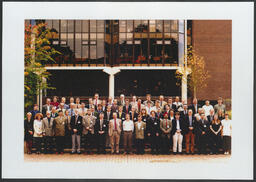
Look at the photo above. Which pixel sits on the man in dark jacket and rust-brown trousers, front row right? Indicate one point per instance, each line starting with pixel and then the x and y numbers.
pixel 190 128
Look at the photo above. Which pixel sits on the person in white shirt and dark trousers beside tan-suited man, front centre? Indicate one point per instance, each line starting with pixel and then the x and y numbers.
pixel 128 128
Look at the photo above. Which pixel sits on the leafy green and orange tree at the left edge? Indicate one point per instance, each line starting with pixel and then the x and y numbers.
pixel 37 52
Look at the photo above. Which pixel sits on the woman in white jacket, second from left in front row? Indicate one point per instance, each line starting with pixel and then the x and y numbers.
pixel 38 132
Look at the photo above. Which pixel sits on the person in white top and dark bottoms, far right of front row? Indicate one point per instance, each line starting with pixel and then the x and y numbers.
pixel 226 133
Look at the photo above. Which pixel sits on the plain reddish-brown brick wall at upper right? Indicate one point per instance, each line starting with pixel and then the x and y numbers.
pixel 212 39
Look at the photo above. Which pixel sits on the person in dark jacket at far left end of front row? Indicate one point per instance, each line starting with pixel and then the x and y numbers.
pixel 28 128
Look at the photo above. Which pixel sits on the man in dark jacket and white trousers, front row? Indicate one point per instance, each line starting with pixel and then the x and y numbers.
pixel 177 133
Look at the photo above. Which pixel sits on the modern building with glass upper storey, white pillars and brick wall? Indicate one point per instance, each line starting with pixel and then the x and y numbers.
pixel 136 57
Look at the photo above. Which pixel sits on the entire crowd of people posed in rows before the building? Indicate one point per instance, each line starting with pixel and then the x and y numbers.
pixel 107 123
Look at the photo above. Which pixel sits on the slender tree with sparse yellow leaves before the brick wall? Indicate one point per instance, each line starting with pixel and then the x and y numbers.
pixel 195 69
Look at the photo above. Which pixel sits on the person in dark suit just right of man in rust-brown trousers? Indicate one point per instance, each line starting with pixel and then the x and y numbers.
pixel 203 131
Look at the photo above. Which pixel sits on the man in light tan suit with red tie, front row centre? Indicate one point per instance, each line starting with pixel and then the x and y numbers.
pixel 114 133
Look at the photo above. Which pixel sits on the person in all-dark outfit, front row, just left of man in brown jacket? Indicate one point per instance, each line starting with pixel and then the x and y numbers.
pixel 154 133
